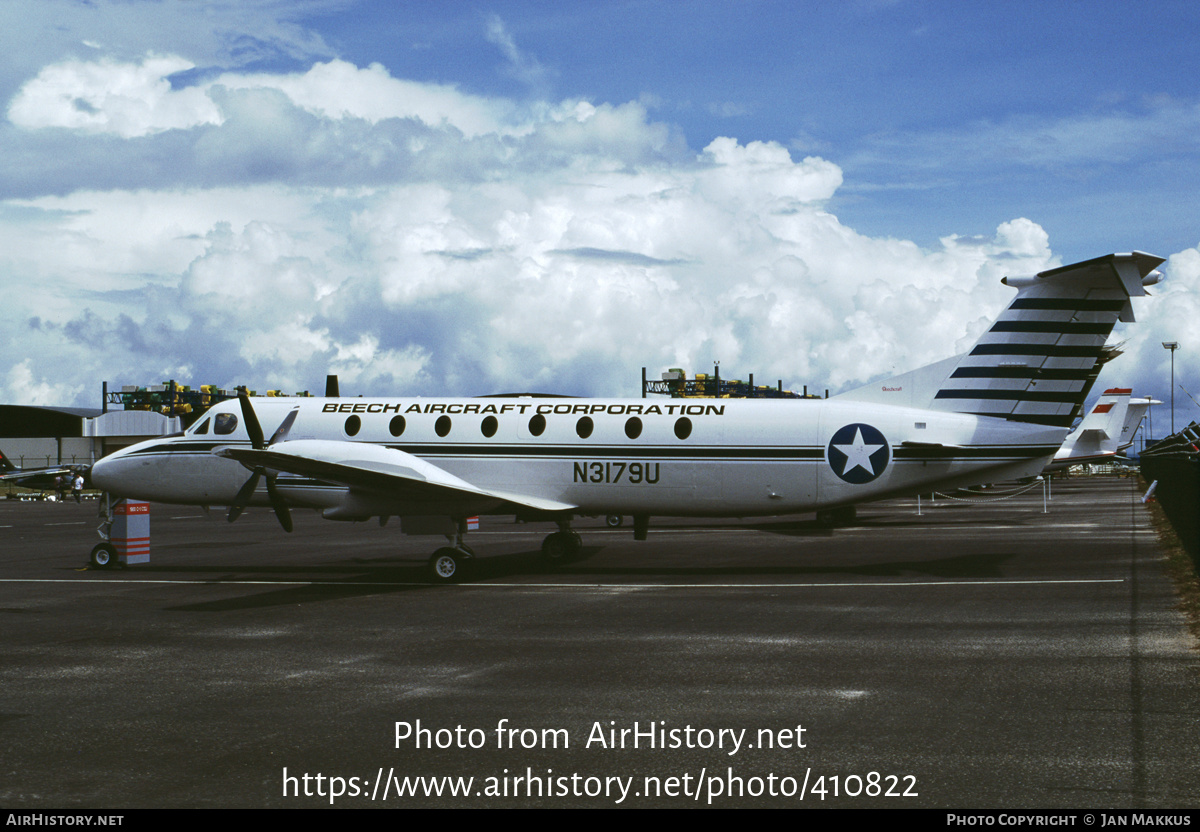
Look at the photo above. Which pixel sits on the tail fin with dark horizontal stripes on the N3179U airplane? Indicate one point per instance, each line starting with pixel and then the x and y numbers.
pixel 1039 361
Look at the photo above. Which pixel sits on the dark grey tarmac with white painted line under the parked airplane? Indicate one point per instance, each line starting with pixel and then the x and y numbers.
pixel 979 655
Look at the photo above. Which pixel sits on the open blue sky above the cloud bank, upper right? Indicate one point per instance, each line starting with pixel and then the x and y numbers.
pixel 946 117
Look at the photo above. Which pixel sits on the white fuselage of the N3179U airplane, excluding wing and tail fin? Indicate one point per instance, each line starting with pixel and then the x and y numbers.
pixel 670 457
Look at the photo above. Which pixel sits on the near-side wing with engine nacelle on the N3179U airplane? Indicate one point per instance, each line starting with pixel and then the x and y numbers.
pixel 380 471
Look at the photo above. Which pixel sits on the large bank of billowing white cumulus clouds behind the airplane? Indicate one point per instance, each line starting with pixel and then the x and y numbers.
pixel 421 241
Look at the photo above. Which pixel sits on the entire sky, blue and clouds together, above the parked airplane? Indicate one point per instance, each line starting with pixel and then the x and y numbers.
pixel 469 197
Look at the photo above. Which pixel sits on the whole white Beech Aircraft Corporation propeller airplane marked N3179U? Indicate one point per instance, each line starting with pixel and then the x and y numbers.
pixel 998 412
